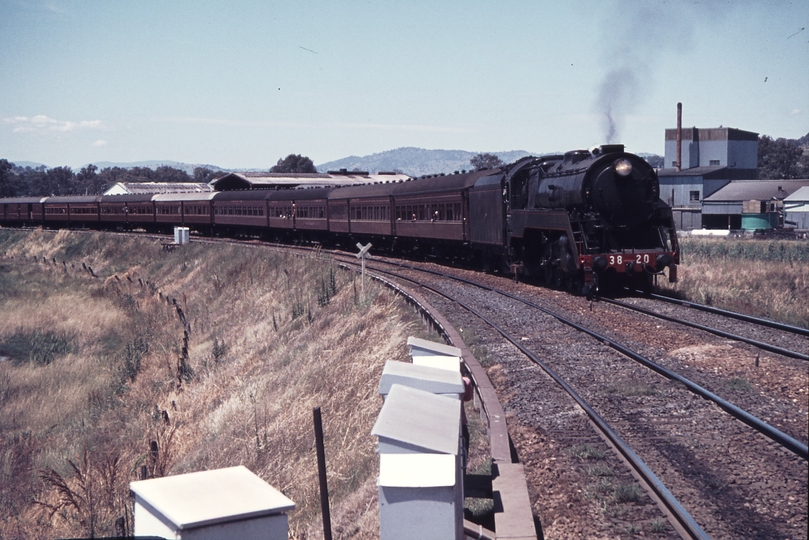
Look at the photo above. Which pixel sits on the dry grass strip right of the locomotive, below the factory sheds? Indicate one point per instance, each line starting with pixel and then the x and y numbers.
pixel 765 278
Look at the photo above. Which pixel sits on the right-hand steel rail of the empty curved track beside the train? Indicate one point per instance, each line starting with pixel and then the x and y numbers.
pixel 776 435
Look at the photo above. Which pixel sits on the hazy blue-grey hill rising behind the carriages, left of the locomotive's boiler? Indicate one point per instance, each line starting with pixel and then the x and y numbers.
pixel 416 161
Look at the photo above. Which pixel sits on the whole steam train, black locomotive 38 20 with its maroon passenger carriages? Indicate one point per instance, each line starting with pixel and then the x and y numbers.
pixel 583 220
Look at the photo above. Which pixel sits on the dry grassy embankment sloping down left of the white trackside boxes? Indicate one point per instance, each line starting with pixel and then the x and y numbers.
pixel 95 371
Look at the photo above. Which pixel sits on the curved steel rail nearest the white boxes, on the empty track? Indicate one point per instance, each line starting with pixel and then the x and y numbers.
pixel 685 521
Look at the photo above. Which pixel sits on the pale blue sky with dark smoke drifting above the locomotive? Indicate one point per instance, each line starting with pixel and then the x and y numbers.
pixel 241 84
